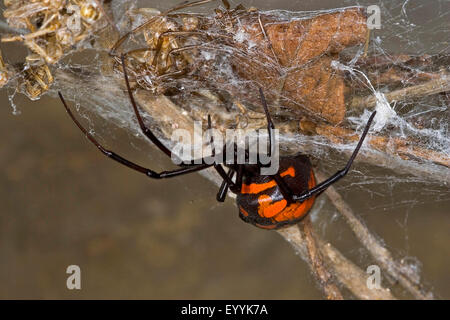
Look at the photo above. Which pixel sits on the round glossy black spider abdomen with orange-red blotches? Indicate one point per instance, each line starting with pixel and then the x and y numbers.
pixel 261 203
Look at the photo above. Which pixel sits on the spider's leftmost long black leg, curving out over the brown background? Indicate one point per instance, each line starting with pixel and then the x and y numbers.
pixel 112 155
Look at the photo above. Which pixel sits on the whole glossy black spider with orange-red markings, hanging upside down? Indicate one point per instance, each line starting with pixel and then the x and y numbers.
pixel 266 201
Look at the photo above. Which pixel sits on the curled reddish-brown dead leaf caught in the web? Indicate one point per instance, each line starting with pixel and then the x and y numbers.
pixel 295 58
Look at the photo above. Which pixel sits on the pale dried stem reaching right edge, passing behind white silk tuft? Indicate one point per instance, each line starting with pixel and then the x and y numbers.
pixel 425 89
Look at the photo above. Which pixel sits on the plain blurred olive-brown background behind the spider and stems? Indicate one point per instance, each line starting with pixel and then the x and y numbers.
pixel 63 203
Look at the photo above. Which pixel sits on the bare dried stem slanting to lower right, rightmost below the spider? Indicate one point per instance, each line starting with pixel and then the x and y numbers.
pixel 374 246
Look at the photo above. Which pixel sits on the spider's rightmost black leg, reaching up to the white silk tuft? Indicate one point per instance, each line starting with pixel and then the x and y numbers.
pixel 338 175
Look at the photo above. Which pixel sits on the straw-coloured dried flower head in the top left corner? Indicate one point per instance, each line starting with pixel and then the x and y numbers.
pixel 55 28
